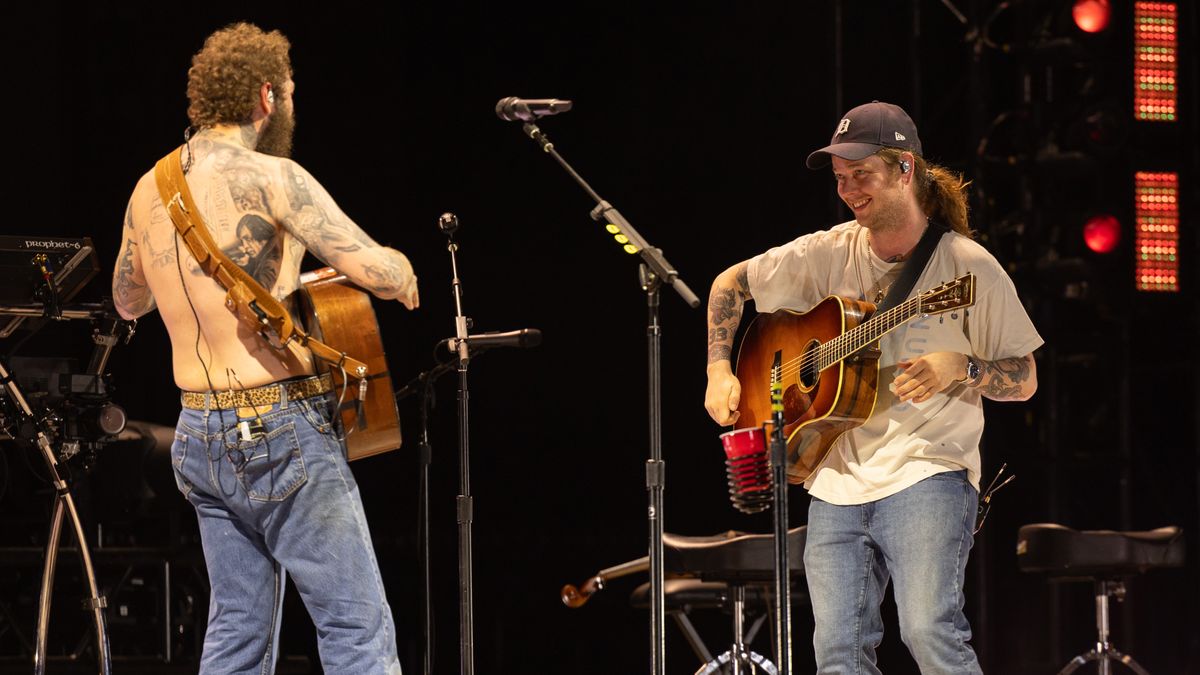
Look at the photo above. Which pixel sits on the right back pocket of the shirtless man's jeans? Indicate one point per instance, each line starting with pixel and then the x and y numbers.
pixel 274 465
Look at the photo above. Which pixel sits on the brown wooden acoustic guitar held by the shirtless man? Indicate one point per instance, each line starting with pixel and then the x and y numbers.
pixel 339 313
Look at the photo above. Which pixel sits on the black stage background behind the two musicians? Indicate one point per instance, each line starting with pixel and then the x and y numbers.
pixel 695 123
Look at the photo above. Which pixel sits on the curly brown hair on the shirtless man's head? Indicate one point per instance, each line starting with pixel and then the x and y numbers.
pixel 229 71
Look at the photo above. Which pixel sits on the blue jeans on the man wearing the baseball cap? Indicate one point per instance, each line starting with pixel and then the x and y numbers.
pixel 919 537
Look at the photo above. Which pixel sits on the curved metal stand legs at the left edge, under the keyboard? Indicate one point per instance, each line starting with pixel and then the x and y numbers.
pixel 63 504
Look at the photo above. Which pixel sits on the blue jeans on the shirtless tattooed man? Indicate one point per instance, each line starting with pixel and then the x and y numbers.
pixel 275 497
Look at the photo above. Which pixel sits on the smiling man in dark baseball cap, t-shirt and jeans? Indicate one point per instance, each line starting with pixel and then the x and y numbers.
pixel 897 498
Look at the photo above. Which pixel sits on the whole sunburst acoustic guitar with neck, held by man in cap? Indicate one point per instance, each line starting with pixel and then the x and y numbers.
pixel 830 368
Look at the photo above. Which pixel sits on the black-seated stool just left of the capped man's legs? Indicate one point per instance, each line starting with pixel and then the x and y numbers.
pixel 725 571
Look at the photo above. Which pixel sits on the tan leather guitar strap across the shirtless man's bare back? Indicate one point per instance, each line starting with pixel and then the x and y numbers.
pixel 254 304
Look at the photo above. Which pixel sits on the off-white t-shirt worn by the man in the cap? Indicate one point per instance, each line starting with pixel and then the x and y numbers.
pixel 901 444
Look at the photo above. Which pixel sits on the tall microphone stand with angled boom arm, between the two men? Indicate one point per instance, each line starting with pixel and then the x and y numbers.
pixel 653 273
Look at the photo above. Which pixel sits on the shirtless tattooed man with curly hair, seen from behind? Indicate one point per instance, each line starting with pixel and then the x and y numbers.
pixel 255 450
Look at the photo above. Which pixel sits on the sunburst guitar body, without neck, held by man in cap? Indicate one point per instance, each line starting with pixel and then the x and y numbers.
pixel 819 407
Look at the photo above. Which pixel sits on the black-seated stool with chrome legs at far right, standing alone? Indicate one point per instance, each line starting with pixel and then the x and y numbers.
pixel 1106 558
